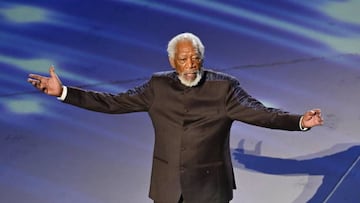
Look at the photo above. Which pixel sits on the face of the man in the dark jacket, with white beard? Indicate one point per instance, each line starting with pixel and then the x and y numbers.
pixel 187 61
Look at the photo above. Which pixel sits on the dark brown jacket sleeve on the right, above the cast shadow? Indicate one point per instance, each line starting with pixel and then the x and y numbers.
pixel 242 107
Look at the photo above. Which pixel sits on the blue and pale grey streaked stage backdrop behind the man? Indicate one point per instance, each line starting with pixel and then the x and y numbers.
pixel 294 55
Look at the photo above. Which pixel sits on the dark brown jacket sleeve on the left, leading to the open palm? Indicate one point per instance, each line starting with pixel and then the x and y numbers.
pixel 134 100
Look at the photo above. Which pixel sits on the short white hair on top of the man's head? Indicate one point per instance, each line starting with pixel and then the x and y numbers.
pixel 171 49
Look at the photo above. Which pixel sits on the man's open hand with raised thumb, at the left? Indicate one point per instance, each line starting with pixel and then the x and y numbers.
pixel 49 85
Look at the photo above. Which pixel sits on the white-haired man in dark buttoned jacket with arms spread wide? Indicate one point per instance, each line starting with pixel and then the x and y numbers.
pixel 192 110
